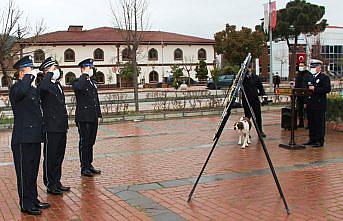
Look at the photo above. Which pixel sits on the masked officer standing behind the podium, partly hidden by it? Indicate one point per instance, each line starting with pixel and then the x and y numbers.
pixel 304 76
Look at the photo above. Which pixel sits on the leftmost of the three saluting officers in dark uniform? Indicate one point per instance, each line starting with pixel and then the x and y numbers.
pixel 27 136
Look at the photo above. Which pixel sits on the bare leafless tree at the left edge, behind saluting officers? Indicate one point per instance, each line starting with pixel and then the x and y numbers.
pixel 14 28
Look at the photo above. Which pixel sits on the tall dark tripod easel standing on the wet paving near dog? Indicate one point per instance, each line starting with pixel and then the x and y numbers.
pixel 229 101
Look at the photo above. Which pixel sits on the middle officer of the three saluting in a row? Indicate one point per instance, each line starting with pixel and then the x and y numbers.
pixel 55 119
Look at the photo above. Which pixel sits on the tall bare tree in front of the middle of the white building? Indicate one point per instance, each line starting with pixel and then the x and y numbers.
pixel 130 16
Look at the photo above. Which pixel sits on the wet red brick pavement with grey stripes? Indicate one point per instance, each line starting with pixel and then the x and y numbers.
pixel 149 167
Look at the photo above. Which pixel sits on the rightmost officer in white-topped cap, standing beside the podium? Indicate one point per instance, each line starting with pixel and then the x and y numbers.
pixel 316 106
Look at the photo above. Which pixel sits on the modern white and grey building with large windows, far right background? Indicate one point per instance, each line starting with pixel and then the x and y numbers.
pixel 327 46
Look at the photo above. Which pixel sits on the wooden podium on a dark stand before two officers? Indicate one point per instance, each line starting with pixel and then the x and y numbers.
pixel 293 93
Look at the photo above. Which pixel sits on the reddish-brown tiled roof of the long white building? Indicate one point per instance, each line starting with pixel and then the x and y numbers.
pixel 108 35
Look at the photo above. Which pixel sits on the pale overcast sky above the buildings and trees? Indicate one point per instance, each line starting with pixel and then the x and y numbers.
pixel 200 18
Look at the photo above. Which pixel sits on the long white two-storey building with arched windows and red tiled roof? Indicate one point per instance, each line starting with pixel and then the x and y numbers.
pixel 157 53
